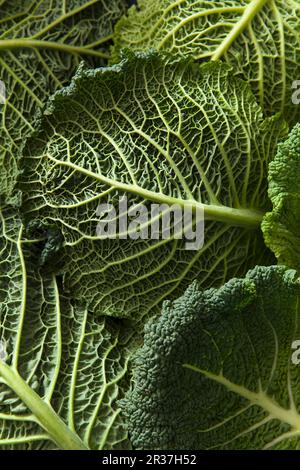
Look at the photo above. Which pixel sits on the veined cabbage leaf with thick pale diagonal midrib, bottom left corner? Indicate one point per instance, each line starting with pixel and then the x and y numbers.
pixel 63 370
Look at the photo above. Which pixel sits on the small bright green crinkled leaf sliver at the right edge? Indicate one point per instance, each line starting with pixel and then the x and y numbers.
pixel 281 227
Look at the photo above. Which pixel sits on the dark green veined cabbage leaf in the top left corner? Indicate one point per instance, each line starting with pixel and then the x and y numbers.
pixel 41 45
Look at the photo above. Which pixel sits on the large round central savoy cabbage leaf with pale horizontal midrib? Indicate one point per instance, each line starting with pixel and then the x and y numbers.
pixel 153 132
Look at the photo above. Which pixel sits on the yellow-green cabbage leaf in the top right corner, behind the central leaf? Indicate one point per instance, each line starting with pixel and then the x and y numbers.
pixel 260 38
